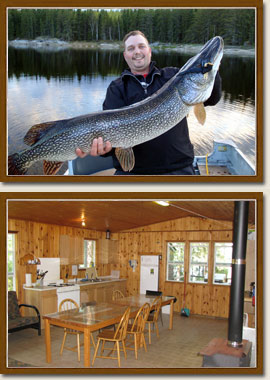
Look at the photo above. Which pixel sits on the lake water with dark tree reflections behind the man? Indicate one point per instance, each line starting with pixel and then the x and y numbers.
pixel 53 85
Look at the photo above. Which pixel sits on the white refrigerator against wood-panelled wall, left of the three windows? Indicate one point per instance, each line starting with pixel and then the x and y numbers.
pixel 149 273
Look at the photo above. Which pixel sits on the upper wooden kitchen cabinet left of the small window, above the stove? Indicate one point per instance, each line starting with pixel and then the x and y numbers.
pixel 71 250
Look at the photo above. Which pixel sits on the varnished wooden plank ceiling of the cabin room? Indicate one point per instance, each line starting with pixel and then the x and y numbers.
pixel 119 215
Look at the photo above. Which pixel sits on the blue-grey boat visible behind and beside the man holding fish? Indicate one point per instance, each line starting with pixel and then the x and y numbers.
pixel 225 159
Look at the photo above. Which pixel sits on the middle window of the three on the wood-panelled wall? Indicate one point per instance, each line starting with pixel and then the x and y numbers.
pixel 198 268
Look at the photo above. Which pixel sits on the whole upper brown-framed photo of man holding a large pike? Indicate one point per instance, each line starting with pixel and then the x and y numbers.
pixel 65 82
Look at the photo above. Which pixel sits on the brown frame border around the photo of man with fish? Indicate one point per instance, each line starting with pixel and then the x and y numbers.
pixel 258 4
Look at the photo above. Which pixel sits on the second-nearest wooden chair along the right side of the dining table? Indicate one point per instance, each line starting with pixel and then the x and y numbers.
pixel 135 331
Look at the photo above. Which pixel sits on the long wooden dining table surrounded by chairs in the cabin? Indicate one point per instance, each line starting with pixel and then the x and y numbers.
pixel 92 317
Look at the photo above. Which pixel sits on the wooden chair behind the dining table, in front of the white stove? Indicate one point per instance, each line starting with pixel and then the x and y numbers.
pixel 65 305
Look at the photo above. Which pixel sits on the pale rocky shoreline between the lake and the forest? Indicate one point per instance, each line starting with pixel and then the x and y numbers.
pixel 54 44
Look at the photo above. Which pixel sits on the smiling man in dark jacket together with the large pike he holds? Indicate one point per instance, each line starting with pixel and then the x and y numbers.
pixel 143 123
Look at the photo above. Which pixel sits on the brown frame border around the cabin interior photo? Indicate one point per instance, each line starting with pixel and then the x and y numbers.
pixel 252 196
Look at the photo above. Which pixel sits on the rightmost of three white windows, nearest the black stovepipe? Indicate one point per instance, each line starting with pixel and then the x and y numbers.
pixel 223 263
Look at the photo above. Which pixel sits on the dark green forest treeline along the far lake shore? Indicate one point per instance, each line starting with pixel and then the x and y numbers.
pixel 236 26
